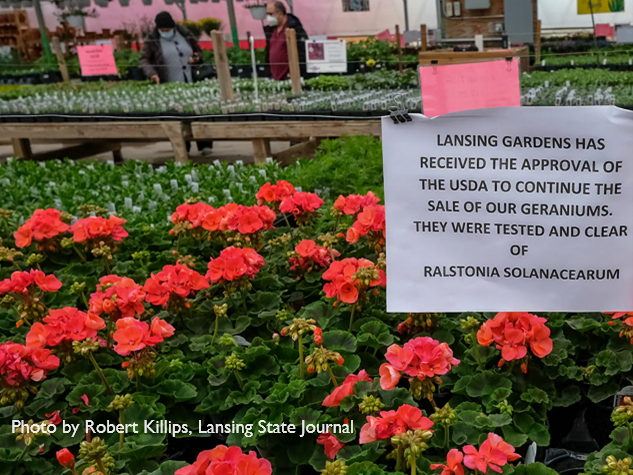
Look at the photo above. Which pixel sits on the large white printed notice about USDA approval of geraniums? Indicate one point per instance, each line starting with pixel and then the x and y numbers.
pixel 510 209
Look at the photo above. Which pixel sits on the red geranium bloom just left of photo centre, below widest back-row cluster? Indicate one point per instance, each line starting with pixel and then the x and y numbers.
pixel 234 263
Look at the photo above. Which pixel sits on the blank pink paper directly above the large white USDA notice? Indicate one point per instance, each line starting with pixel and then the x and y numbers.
pixel 457 87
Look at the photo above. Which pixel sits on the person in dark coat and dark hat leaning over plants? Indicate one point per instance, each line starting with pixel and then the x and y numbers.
pixel 167 55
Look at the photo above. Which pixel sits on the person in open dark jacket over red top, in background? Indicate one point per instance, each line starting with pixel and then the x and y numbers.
pixel 278 20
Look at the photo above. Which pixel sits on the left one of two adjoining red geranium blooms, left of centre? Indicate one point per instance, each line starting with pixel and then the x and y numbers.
pixel 118 297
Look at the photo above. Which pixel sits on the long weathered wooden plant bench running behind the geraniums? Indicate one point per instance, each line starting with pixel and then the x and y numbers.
pixel 99 137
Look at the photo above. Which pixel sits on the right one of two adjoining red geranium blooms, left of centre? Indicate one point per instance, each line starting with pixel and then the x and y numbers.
pixel 173 282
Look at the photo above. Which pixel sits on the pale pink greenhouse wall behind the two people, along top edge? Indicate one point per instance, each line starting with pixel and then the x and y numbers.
pixel 319 17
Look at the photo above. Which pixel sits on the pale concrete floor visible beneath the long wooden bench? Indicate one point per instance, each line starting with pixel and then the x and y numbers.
pixel 160 152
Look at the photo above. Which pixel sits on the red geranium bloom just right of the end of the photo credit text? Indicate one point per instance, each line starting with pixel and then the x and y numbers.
pixel 392 423
